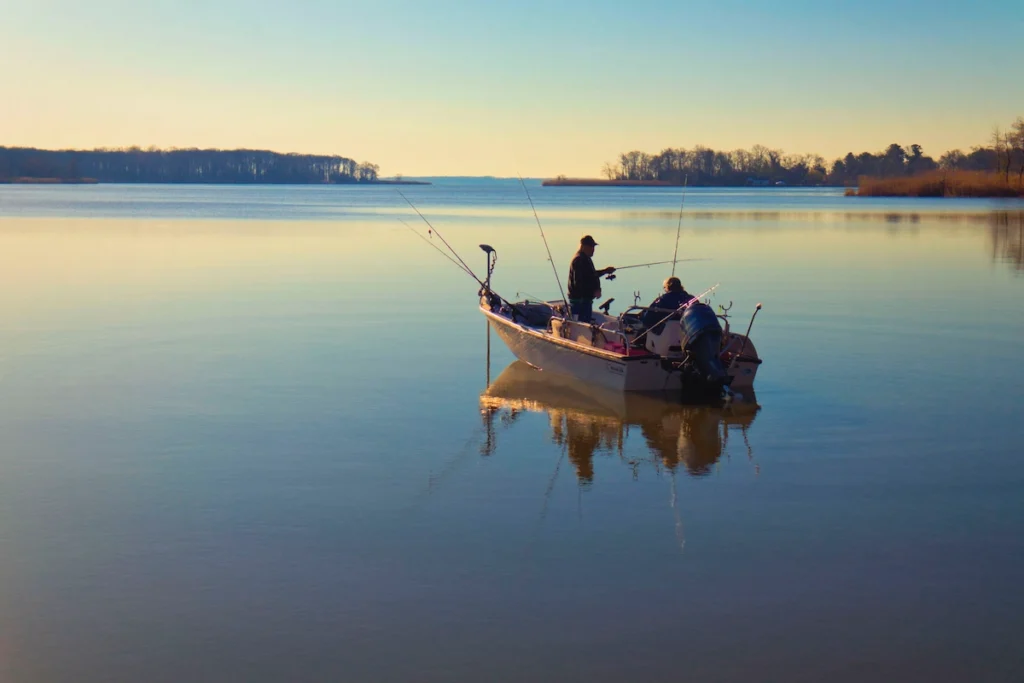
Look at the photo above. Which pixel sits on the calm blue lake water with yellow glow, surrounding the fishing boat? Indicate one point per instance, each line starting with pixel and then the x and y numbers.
pixel 246 435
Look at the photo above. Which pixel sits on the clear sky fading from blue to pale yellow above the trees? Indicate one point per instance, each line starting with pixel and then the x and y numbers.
pixel 535 88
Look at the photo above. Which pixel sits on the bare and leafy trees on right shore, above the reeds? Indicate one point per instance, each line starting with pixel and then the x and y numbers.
pixel 764 166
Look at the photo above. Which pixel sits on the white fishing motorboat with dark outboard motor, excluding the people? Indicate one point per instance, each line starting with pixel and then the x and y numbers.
pixel 693 350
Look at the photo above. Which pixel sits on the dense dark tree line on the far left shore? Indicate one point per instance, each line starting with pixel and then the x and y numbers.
pixel 153 165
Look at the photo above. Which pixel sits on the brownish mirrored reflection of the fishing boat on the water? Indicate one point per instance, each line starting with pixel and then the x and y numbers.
pixel 588 420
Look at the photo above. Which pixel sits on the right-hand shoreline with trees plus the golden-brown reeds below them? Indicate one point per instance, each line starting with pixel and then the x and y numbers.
pixel 761 166
